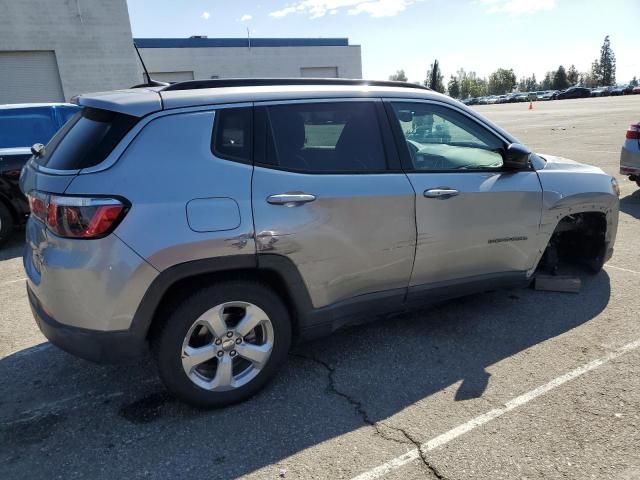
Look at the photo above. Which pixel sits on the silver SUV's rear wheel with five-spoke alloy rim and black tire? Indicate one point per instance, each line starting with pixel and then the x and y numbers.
pixel 226 376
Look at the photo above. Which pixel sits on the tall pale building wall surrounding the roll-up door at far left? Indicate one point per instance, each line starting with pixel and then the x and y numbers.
pixel 91 39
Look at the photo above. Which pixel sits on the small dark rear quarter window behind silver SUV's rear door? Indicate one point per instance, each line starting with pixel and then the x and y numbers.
pixel 232 136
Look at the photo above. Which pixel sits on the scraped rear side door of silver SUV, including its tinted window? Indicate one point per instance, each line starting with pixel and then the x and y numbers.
pixel 329 194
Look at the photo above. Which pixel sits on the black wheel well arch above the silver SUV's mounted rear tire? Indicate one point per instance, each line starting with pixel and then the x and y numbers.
pixel 181 288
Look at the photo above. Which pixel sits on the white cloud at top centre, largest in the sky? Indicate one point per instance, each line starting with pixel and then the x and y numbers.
pixel 320 8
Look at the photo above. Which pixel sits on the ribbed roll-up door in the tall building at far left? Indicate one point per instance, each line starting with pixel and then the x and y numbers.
pixel 29 76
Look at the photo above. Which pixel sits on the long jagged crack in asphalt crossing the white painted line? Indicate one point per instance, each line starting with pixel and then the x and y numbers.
pixel 360 410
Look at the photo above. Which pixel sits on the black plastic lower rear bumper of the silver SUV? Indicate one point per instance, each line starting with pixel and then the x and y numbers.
pixel 93 345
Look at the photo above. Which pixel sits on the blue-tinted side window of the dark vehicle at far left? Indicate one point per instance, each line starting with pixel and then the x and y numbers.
pixel 22 127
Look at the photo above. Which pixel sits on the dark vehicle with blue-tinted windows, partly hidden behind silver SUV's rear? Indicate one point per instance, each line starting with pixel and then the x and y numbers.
pixel 21 126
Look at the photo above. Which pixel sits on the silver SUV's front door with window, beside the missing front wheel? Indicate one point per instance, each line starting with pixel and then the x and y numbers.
pixel 474 218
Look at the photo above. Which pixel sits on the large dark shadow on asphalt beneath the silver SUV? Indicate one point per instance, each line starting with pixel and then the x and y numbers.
pixel 59 414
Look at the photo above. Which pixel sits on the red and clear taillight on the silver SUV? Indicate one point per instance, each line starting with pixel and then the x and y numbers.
pixel 77 217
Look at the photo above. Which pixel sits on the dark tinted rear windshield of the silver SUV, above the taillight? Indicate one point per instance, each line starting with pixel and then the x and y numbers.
pixel 86 139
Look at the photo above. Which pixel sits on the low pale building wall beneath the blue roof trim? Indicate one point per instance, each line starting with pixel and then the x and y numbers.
pixel 236 62
